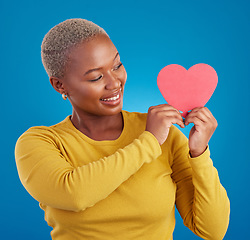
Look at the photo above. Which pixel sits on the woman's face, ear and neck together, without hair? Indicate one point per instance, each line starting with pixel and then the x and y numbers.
pixel 94 82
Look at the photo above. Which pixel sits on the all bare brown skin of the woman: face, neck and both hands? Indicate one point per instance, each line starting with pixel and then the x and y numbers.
pixel 100 120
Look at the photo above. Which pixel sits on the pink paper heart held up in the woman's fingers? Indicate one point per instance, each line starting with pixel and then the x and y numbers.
pixel 187 89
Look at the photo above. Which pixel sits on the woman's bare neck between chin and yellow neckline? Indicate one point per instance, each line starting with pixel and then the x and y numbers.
pixel 98 128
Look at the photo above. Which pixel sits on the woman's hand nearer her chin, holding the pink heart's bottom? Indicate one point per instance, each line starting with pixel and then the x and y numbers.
pixel 159 120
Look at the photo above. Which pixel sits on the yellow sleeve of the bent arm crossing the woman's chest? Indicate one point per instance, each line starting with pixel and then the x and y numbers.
pixel 52 181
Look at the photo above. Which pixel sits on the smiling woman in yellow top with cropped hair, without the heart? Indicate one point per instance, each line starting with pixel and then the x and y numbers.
pixel 105 173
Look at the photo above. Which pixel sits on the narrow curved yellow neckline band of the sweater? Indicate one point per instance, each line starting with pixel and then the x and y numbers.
pixel 101 142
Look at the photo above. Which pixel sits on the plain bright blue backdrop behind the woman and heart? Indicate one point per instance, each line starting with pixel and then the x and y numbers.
pixel 148 36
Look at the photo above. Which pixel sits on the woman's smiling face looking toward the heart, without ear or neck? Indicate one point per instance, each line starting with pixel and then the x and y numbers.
pixel 95 77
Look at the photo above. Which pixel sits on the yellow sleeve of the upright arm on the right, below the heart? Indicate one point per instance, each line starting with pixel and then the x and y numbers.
pixel 200 198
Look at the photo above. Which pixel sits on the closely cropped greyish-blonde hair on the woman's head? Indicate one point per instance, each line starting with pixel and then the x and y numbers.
pixel 61 39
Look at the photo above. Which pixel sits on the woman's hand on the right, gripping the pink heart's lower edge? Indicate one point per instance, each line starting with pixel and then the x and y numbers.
pixel 203 129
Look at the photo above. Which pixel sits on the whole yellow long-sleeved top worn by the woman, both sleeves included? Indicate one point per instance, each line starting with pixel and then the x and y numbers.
pixel 121 189
